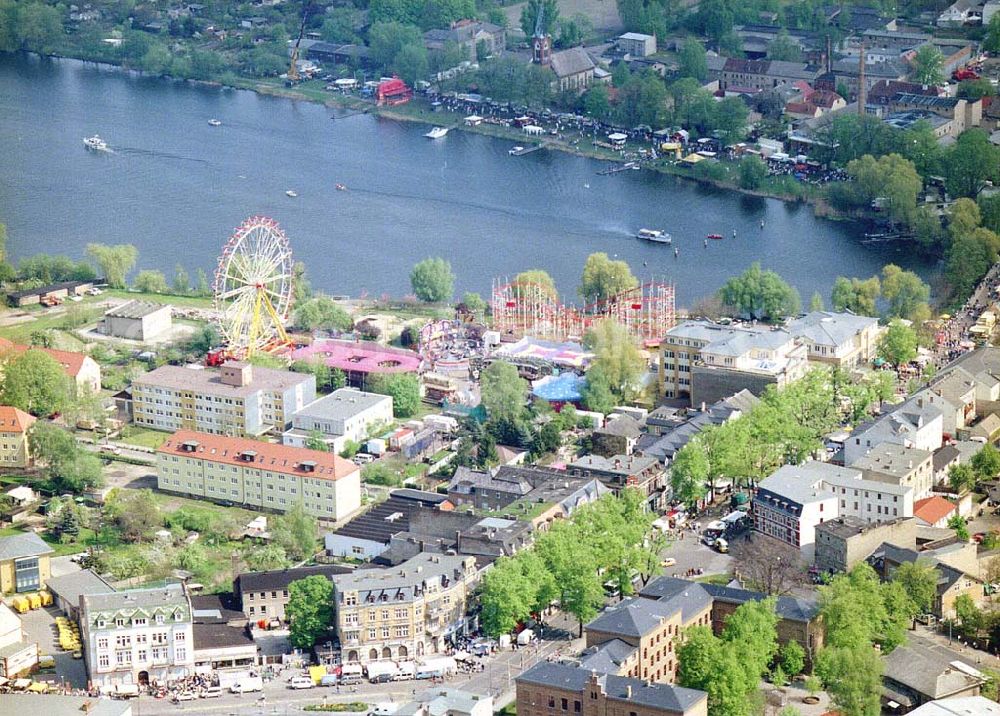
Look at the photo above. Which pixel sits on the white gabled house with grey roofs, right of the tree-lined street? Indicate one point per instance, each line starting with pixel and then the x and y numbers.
pixel 914 424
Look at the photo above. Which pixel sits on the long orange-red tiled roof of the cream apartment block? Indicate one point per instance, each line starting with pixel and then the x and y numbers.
pixel 268 456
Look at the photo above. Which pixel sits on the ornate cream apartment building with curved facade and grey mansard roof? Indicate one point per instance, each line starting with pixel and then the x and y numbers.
pixel 405 611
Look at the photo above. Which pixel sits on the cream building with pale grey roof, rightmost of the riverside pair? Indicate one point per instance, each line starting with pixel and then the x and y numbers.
pixel 843 340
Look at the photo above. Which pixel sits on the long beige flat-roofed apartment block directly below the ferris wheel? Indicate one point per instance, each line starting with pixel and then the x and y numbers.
pixel 238 400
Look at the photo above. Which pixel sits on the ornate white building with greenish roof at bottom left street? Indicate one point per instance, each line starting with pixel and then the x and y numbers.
pixel 138 636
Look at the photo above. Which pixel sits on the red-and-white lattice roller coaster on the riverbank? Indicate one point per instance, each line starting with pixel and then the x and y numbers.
pixel 530 309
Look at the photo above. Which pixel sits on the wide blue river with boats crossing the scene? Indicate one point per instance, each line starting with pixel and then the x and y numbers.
pixel 175 187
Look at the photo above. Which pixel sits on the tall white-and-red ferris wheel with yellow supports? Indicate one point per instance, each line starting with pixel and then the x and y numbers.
pixel 253 288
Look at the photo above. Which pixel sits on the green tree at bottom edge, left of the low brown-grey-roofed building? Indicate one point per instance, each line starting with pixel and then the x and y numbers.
pixel 853 678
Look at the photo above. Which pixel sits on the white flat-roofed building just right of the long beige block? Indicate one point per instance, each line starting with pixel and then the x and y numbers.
pixel 345 414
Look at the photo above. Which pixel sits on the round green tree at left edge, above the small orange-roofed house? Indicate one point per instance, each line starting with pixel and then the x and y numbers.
pixel 34 382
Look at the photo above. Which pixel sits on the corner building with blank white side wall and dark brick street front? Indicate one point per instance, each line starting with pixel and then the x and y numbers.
pixel 790 503
